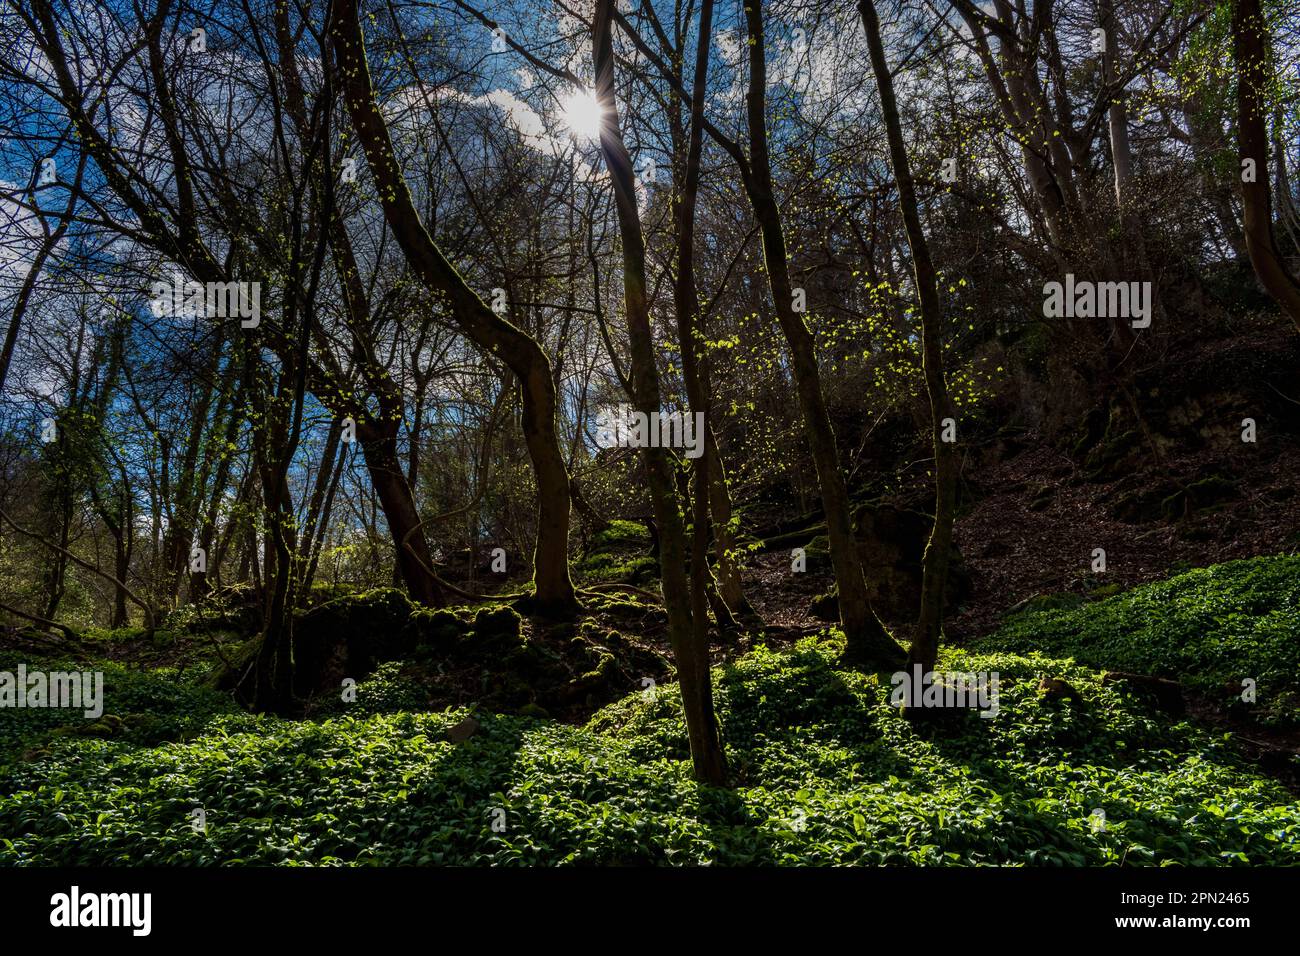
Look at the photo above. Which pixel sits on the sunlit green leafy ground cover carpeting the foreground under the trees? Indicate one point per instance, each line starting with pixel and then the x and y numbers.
pixel 824 772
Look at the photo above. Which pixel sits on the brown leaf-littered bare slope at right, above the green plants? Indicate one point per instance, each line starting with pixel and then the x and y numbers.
pixel 1033 531
